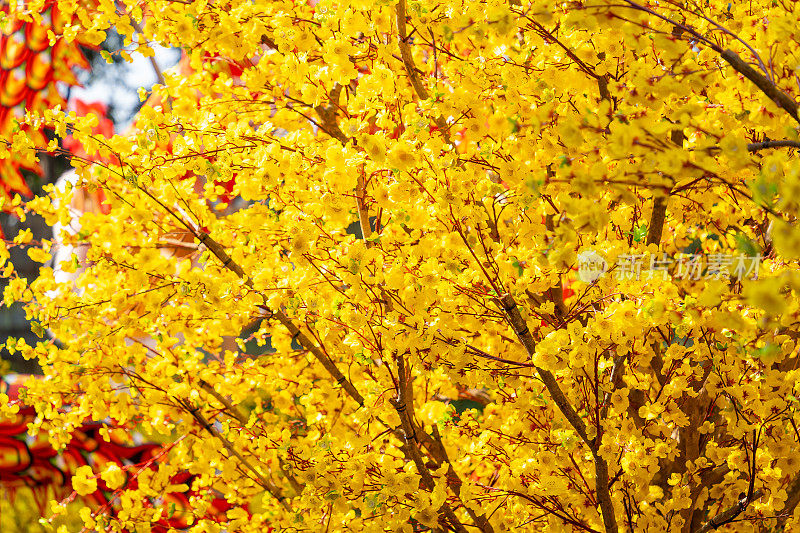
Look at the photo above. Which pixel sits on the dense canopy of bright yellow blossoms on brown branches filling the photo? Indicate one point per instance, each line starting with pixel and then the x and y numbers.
pixel 512 265
